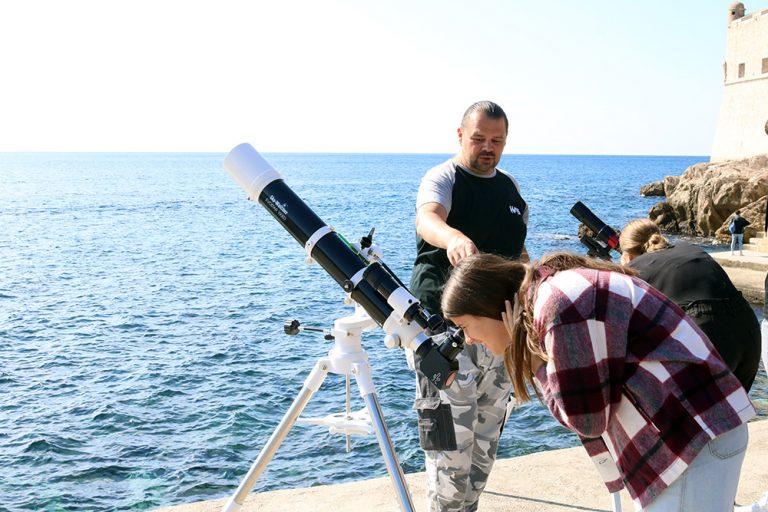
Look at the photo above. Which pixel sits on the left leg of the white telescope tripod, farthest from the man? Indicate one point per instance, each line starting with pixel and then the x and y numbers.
pixel 311 385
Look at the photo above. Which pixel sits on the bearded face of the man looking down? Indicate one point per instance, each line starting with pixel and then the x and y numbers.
pixel 482 142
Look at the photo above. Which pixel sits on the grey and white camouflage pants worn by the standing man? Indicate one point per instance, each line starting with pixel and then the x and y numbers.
pixel 478 399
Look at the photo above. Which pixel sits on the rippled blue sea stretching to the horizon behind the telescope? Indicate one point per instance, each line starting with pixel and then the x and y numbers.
pixel 142 300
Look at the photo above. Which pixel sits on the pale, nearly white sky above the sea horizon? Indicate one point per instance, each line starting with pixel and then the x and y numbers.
pixel 591 77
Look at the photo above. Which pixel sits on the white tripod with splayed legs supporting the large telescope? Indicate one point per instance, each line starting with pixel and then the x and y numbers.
pixel 347 357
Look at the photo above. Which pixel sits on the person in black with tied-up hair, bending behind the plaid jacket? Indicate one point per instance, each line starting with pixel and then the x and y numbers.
pixel 697 283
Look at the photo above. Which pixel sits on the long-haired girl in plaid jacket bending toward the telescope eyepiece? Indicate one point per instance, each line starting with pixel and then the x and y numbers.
pixel 619 364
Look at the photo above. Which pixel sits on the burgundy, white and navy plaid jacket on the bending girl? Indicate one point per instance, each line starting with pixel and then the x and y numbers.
pixel 634 377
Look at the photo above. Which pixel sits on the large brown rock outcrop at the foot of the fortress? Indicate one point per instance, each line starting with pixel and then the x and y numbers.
pixel 707 194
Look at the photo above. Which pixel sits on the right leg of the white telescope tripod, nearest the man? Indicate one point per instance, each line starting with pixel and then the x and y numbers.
pixel 362 374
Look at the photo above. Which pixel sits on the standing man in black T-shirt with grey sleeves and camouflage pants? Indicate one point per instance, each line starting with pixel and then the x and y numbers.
pixel 464 206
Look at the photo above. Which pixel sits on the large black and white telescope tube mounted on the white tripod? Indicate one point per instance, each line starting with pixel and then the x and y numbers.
pixel 369 283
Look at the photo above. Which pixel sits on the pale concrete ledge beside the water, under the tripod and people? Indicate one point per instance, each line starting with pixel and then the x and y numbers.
pixel 557 481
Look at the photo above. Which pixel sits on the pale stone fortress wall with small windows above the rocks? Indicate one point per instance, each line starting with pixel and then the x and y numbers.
pixel 742 129
